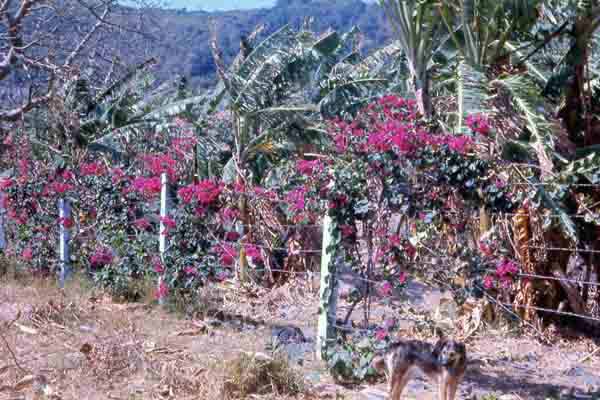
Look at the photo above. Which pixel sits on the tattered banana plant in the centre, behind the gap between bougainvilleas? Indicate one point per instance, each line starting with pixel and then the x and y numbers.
pixel 278 92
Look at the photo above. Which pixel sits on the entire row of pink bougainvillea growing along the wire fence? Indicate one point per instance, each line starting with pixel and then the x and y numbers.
pixel 384 161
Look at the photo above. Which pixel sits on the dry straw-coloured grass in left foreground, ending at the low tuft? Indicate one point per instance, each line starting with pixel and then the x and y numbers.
pixel 78 343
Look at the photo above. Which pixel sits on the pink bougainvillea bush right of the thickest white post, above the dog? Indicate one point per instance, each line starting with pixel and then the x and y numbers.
pixel 388 161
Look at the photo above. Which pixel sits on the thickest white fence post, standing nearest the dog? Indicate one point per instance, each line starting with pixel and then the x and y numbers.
pixel 328 292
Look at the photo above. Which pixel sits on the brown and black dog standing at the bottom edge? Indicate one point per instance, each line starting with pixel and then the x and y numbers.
pixel 444 362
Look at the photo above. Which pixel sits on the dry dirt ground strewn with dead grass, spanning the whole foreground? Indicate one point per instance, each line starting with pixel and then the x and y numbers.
pixel 80 345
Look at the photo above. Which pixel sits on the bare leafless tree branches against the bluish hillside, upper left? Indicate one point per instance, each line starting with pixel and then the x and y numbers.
pixel 45 43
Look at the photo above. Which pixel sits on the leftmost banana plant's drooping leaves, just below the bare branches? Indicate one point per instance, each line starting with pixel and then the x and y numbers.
pixel 90 119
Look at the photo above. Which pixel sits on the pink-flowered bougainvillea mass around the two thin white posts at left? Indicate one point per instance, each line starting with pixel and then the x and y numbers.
pixel 115 218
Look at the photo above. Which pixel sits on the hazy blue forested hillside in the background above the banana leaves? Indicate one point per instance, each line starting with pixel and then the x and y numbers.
pixel 185 35
